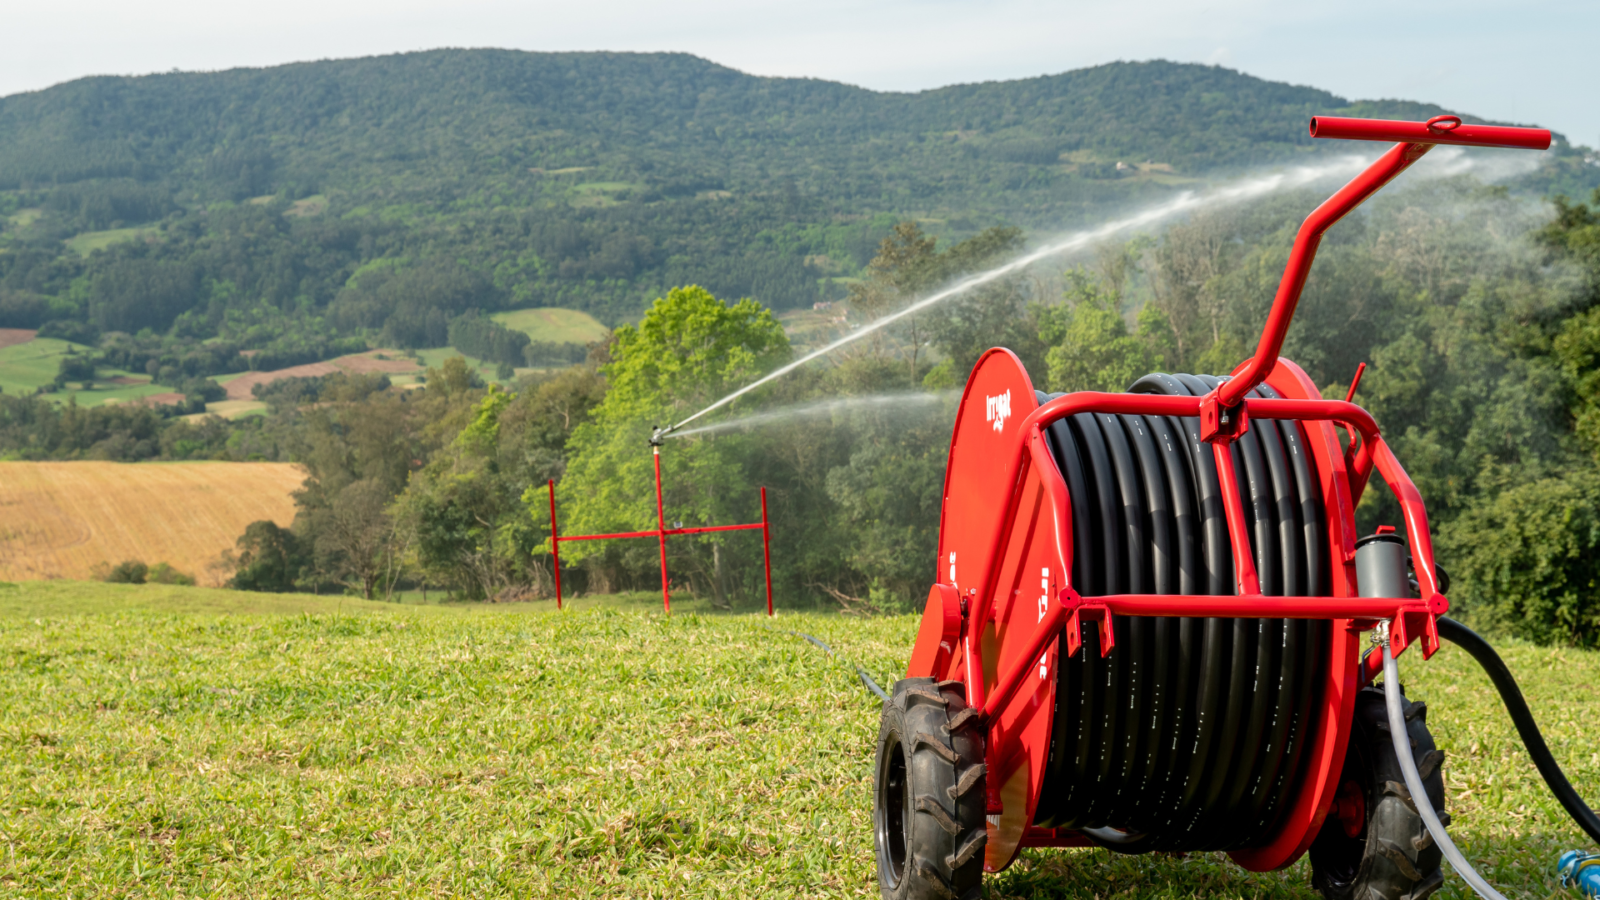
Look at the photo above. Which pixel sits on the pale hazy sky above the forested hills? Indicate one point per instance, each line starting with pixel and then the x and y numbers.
pixel 1535 62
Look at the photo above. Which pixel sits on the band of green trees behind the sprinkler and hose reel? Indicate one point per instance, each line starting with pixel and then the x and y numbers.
pixel 1479 315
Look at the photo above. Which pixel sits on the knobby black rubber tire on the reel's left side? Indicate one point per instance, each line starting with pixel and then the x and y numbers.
pixel 929 795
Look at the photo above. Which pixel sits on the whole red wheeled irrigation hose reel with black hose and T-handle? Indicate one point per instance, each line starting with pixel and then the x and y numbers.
pixel 1148 625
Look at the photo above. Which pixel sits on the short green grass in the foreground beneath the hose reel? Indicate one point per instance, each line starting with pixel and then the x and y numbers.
pixel 180 742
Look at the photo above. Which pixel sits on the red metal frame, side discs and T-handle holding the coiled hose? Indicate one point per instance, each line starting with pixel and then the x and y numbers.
pixel 1007 505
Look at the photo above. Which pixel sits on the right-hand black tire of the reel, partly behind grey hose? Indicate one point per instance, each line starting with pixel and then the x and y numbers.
pixel 1374 845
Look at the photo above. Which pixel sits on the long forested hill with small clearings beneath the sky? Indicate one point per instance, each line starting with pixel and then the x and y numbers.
pixel 383 196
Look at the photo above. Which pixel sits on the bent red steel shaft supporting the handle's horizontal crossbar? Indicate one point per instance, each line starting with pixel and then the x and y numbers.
pixel 1302 257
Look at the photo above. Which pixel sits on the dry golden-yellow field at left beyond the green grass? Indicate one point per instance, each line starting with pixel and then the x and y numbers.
pixel 63 520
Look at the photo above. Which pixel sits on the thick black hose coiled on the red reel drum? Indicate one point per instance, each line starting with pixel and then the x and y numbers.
pixel 1191 736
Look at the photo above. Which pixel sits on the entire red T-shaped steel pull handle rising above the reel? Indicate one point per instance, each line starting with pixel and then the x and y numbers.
pixel 1415 139
